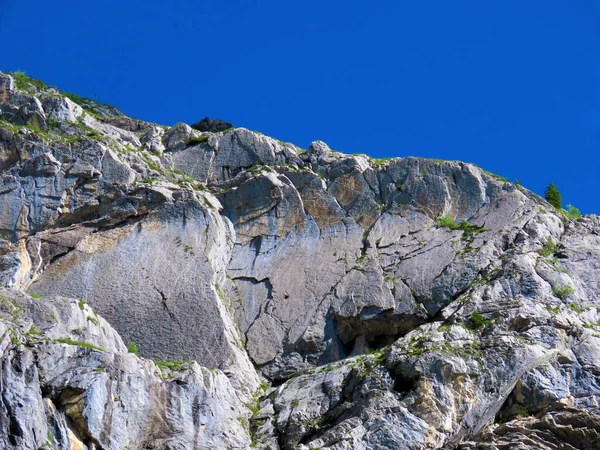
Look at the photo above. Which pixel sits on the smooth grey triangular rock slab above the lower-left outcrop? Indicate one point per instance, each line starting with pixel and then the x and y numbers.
pixel 166 299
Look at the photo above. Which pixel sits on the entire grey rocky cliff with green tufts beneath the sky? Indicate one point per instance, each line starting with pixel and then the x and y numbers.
pixel 279 298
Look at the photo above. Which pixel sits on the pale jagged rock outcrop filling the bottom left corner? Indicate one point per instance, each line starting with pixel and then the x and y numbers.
pixel 69 382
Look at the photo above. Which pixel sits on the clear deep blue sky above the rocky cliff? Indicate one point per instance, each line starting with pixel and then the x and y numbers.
pixel 511 85
